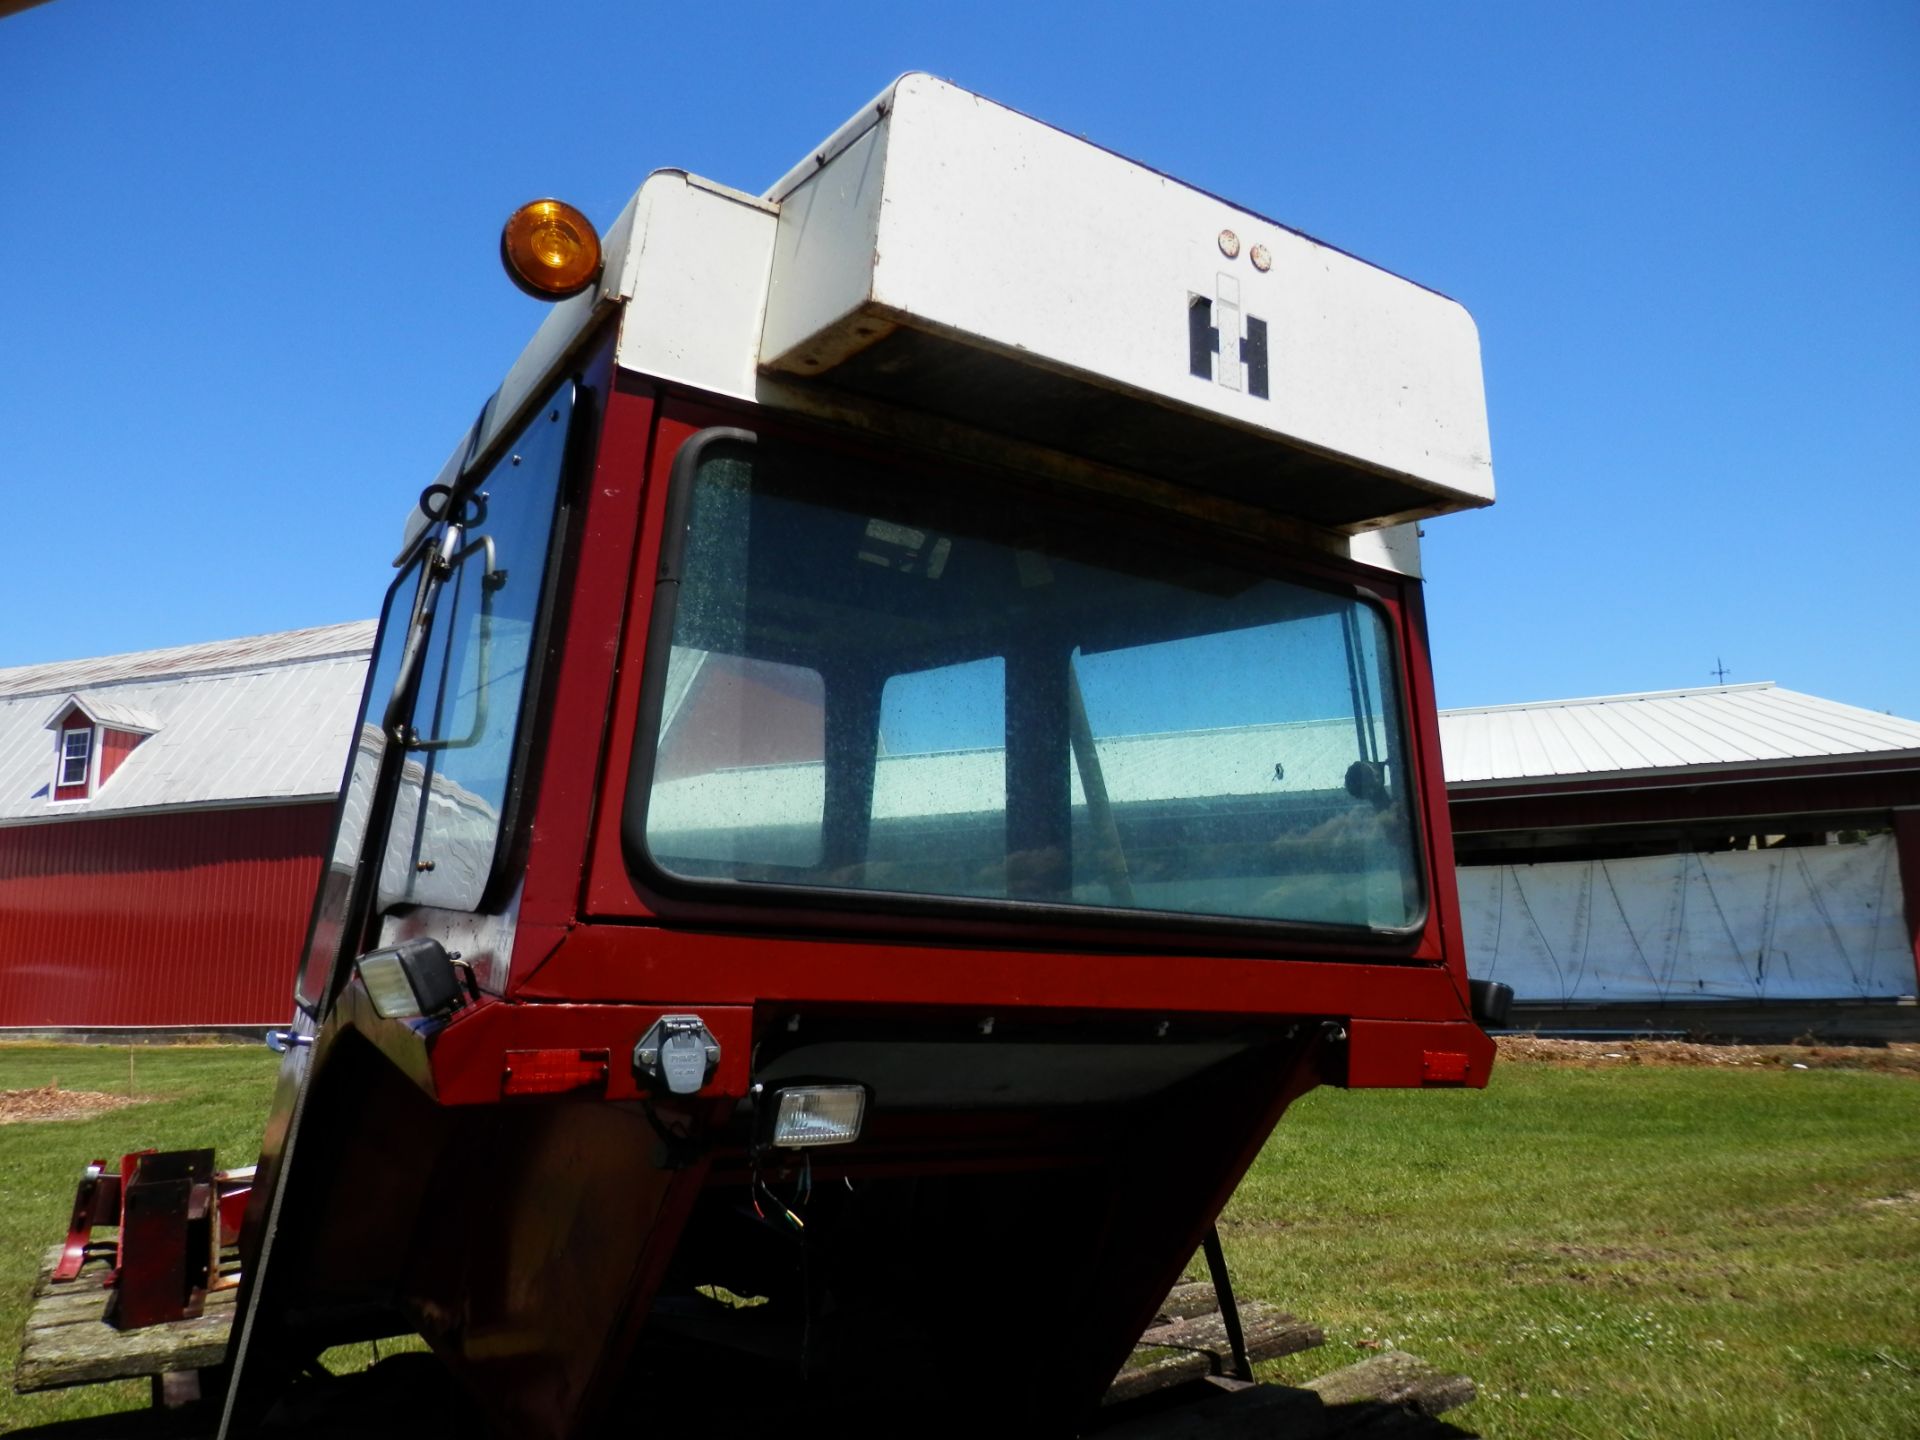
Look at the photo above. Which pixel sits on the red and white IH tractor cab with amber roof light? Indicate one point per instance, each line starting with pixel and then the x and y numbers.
pixel 900 744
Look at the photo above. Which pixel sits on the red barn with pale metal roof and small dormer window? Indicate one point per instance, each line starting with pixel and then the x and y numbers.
pixel 162 825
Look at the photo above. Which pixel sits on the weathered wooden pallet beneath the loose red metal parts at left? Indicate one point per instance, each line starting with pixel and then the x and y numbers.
pixel 68 1341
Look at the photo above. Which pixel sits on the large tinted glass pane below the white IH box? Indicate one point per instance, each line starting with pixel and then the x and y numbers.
pixel 884 684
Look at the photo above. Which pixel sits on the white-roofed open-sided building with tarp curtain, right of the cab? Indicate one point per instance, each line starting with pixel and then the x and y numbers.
pixel 1633 857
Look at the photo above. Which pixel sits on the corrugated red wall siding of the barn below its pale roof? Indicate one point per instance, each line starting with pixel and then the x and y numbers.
pixel 191 919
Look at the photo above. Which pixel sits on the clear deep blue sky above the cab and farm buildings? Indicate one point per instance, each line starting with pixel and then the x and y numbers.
pixel 254 293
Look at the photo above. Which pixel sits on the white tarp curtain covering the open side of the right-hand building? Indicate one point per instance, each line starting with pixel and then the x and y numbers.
pixel 1788 924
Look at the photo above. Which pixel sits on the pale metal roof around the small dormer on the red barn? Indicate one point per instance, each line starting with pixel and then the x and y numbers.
pixel 233 723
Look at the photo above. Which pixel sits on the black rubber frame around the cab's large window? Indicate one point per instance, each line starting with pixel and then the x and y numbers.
pixel 746 903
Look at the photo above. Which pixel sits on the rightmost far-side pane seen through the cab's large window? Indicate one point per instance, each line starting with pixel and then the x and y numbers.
pixel 1230 796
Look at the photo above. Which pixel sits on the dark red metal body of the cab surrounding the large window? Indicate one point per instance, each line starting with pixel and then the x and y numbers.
pixel 539 1293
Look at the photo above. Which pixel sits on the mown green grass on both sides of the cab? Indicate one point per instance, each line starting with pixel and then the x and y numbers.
pixel 1633 1253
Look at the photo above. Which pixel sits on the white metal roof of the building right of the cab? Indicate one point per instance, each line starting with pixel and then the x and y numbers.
pixel 1662 731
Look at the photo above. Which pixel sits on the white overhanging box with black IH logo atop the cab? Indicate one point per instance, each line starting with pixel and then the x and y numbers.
pixel 982 224
